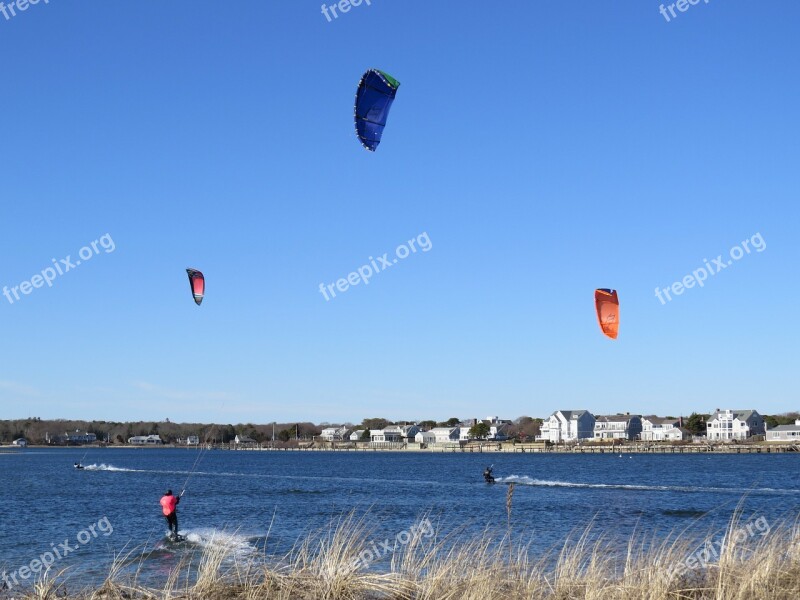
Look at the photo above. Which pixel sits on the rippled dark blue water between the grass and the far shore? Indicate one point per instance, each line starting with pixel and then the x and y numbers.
pixel 258 501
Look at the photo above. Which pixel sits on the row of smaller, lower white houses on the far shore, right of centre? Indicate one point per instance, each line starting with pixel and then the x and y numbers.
pixel 497 431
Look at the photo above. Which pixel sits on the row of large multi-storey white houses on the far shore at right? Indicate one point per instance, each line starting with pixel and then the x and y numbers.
pixel 723 425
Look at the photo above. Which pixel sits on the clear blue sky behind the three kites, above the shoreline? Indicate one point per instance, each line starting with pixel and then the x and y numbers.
pixel 546 148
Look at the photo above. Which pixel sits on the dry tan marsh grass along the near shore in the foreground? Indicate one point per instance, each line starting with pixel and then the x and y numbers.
pixel 588 566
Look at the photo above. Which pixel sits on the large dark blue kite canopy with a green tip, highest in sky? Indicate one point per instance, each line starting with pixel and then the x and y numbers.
pixel 376 92
